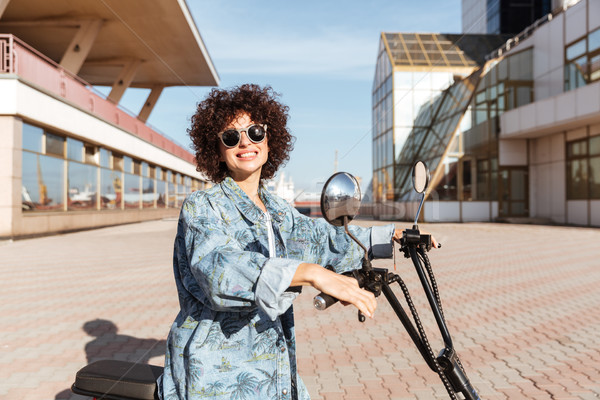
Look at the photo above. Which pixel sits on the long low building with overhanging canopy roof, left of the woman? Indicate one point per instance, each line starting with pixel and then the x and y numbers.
pixel 71 158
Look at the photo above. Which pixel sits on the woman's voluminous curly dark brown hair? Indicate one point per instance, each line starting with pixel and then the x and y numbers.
pixel 220 108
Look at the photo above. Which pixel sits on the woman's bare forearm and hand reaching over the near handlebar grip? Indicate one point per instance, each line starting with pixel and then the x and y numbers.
pixel 342 287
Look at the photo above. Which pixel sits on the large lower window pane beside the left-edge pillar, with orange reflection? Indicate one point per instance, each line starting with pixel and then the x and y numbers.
pixel 43 183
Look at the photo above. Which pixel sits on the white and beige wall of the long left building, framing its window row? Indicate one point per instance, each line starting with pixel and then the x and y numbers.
pixel 23 102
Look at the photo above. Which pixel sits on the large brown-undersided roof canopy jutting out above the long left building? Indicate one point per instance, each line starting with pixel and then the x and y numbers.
pixel 160 38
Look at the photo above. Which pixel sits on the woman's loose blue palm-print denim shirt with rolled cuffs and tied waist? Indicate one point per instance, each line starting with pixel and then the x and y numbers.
pixel 234 335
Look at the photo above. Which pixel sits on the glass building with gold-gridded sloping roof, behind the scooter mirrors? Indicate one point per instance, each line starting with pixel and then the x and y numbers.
pixel 412 70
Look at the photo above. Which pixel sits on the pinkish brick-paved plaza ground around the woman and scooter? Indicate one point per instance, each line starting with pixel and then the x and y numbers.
pixel 522 303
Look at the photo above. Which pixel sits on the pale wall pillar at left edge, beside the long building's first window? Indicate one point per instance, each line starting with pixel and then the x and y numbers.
pixel 10 175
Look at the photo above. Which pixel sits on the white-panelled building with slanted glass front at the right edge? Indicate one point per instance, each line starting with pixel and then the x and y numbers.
pixel 517 138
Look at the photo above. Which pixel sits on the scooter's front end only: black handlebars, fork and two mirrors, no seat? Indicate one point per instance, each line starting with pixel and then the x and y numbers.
pixel 340 203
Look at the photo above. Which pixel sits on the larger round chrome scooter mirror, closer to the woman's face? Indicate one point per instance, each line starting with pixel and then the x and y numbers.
pixel 340 198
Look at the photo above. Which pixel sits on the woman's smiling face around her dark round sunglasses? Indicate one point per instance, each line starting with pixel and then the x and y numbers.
pixel 247 158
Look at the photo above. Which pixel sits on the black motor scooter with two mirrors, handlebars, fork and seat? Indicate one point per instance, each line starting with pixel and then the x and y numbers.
pixel 340 202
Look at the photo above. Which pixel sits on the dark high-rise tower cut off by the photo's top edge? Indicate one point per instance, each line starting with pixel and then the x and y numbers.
pixel 502 16
